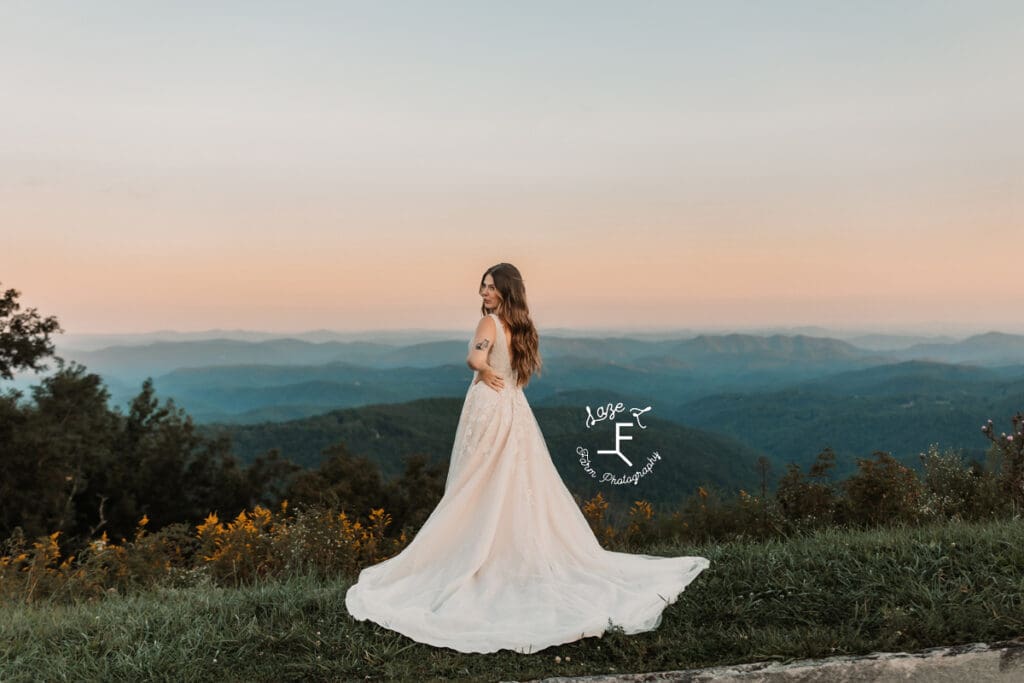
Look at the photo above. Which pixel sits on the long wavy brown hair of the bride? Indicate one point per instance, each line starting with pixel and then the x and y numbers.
pixel 524 341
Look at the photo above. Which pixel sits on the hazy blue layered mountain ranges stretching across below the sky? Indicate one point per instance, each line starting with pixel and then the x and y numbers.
pixel 787 398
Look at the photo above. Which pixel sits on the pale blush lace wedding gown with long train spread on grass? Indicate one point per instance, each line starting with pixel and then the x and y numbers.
pixel 507 560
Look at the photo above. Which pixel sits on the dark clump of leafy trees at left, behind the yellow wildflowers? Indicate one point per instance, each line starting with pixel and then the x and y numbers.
pixel 69 463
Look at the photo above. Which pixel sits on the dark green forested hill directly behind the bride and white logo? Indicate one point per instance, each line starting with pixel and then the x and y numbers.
pixel 387 434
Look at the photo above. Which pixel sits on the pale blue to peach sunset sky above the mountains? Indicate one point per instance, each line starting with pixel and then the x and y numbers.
pixel 327 165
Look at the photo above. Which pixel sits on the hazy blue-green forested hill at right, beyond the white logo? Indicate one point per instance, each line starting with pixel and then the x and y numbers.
pixel 900 408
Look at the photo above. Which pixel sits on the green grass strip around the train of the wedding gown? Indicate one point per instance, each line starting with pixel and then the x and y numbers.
pixel 836 592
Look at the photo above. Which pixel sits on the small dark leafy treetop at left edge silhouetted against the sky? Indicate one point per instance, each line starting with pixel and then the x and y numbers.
pixel 25 337
